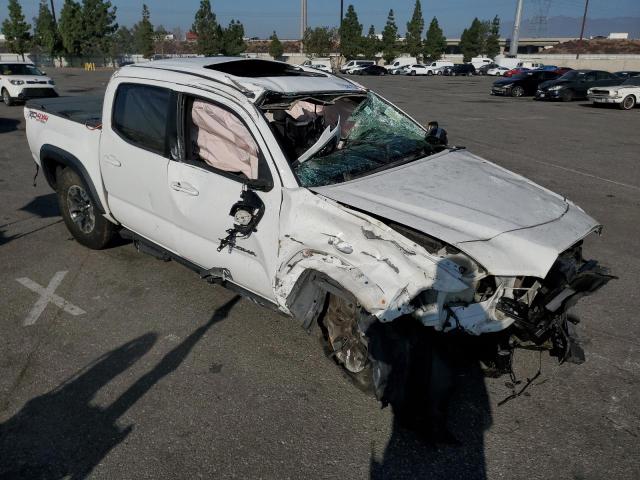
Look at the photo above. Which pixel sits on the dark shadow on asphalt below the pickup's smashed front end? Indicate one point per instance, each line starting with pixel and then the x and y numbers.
pixel 409 455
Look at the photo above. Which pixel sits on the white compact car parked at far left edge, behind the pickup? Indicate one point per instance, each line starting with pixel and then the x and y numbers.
pixel 20 81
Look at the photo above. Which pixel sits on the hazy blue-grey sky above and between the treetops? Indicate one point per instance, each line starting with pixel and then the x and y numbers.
pixel 261 17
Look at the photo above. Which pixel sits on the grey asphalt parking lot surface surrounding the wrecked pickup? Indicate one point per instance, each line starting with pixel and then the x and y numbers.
pixel 165 376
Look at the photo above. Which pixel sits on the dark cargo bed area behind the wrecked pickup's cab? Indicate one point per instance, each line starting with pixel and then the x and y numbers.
pixel 86 109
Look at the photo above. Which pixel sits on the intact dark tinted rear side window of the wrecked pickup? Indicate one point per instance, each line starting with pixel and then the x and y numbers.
pixel 140 114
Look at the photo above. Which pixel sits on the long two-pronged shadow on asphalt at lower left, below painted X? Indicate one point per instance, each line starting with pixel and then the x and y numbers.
pixel 62 434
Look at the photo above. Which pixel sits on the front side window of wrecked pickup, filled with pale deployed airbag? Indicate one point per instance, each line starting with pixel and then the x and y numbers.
pixel 217 138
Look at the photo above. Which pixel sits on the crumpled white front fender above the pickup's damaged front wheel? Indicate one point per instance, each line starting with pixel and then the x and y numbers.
pixel 382 269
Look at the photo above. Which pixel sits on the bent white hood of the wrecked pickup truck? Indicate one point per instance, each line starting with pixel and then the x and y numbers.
pixel 507 223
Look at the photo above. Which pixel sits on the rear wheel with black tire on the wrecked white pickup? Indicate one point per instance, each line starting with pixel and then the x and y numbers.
pixel 79 211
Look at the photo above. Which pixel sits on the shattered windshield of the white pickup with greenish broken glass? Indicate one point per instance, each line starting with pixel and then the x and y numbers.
pixel 348 137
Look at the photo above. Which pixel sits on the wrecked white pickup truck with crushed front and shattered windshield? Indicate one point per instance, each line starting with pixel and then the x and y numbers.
pixel 316 196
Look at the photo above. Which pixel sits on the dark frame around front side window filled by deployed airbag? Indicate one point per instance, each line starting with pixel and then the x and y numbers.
pixel 264 171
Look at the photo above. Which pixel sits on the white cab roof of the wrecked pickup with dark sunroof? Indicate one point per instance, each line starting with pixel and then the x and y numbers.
pixel 253 73
